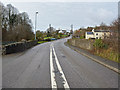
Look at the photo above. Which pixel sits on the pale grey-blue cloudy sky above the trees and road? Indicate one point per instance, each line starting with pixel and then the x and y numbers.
pixel 61 14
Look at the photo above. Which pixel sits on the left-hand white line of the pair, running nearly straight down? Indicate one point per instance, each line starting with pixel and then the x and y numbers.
pixel 53 82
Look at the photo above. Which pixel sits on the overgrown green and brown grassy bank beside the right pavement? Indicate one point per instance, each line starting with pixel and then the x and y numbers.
pixel 105 50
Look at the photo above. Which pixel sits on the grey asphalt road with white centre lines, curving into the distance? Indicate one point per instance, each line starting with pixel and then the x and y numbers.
pixel 54 65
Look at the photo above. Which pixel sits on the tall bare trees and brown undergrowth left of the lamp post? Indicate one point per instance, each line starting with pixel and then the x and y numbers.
pixel 15 25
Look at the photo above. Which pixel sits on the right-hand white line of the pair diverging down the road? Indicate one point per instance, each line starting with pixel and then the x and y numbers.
pixel 66 86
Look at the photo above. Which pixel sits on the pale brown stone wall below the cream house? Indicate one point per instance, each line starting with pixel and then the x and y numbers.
pixel 82 43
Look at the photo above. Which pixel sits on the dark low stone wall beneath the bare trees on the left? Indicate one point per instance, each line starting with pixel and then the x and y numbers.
pixel 17 47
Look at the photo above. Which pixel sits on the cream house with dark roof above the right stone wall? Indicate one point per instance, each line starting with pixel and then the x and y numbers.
pixel 97 34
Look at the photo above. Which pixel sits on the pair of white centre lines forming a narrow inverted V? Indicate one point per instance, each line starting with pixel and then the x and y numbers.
pixel 53 81
